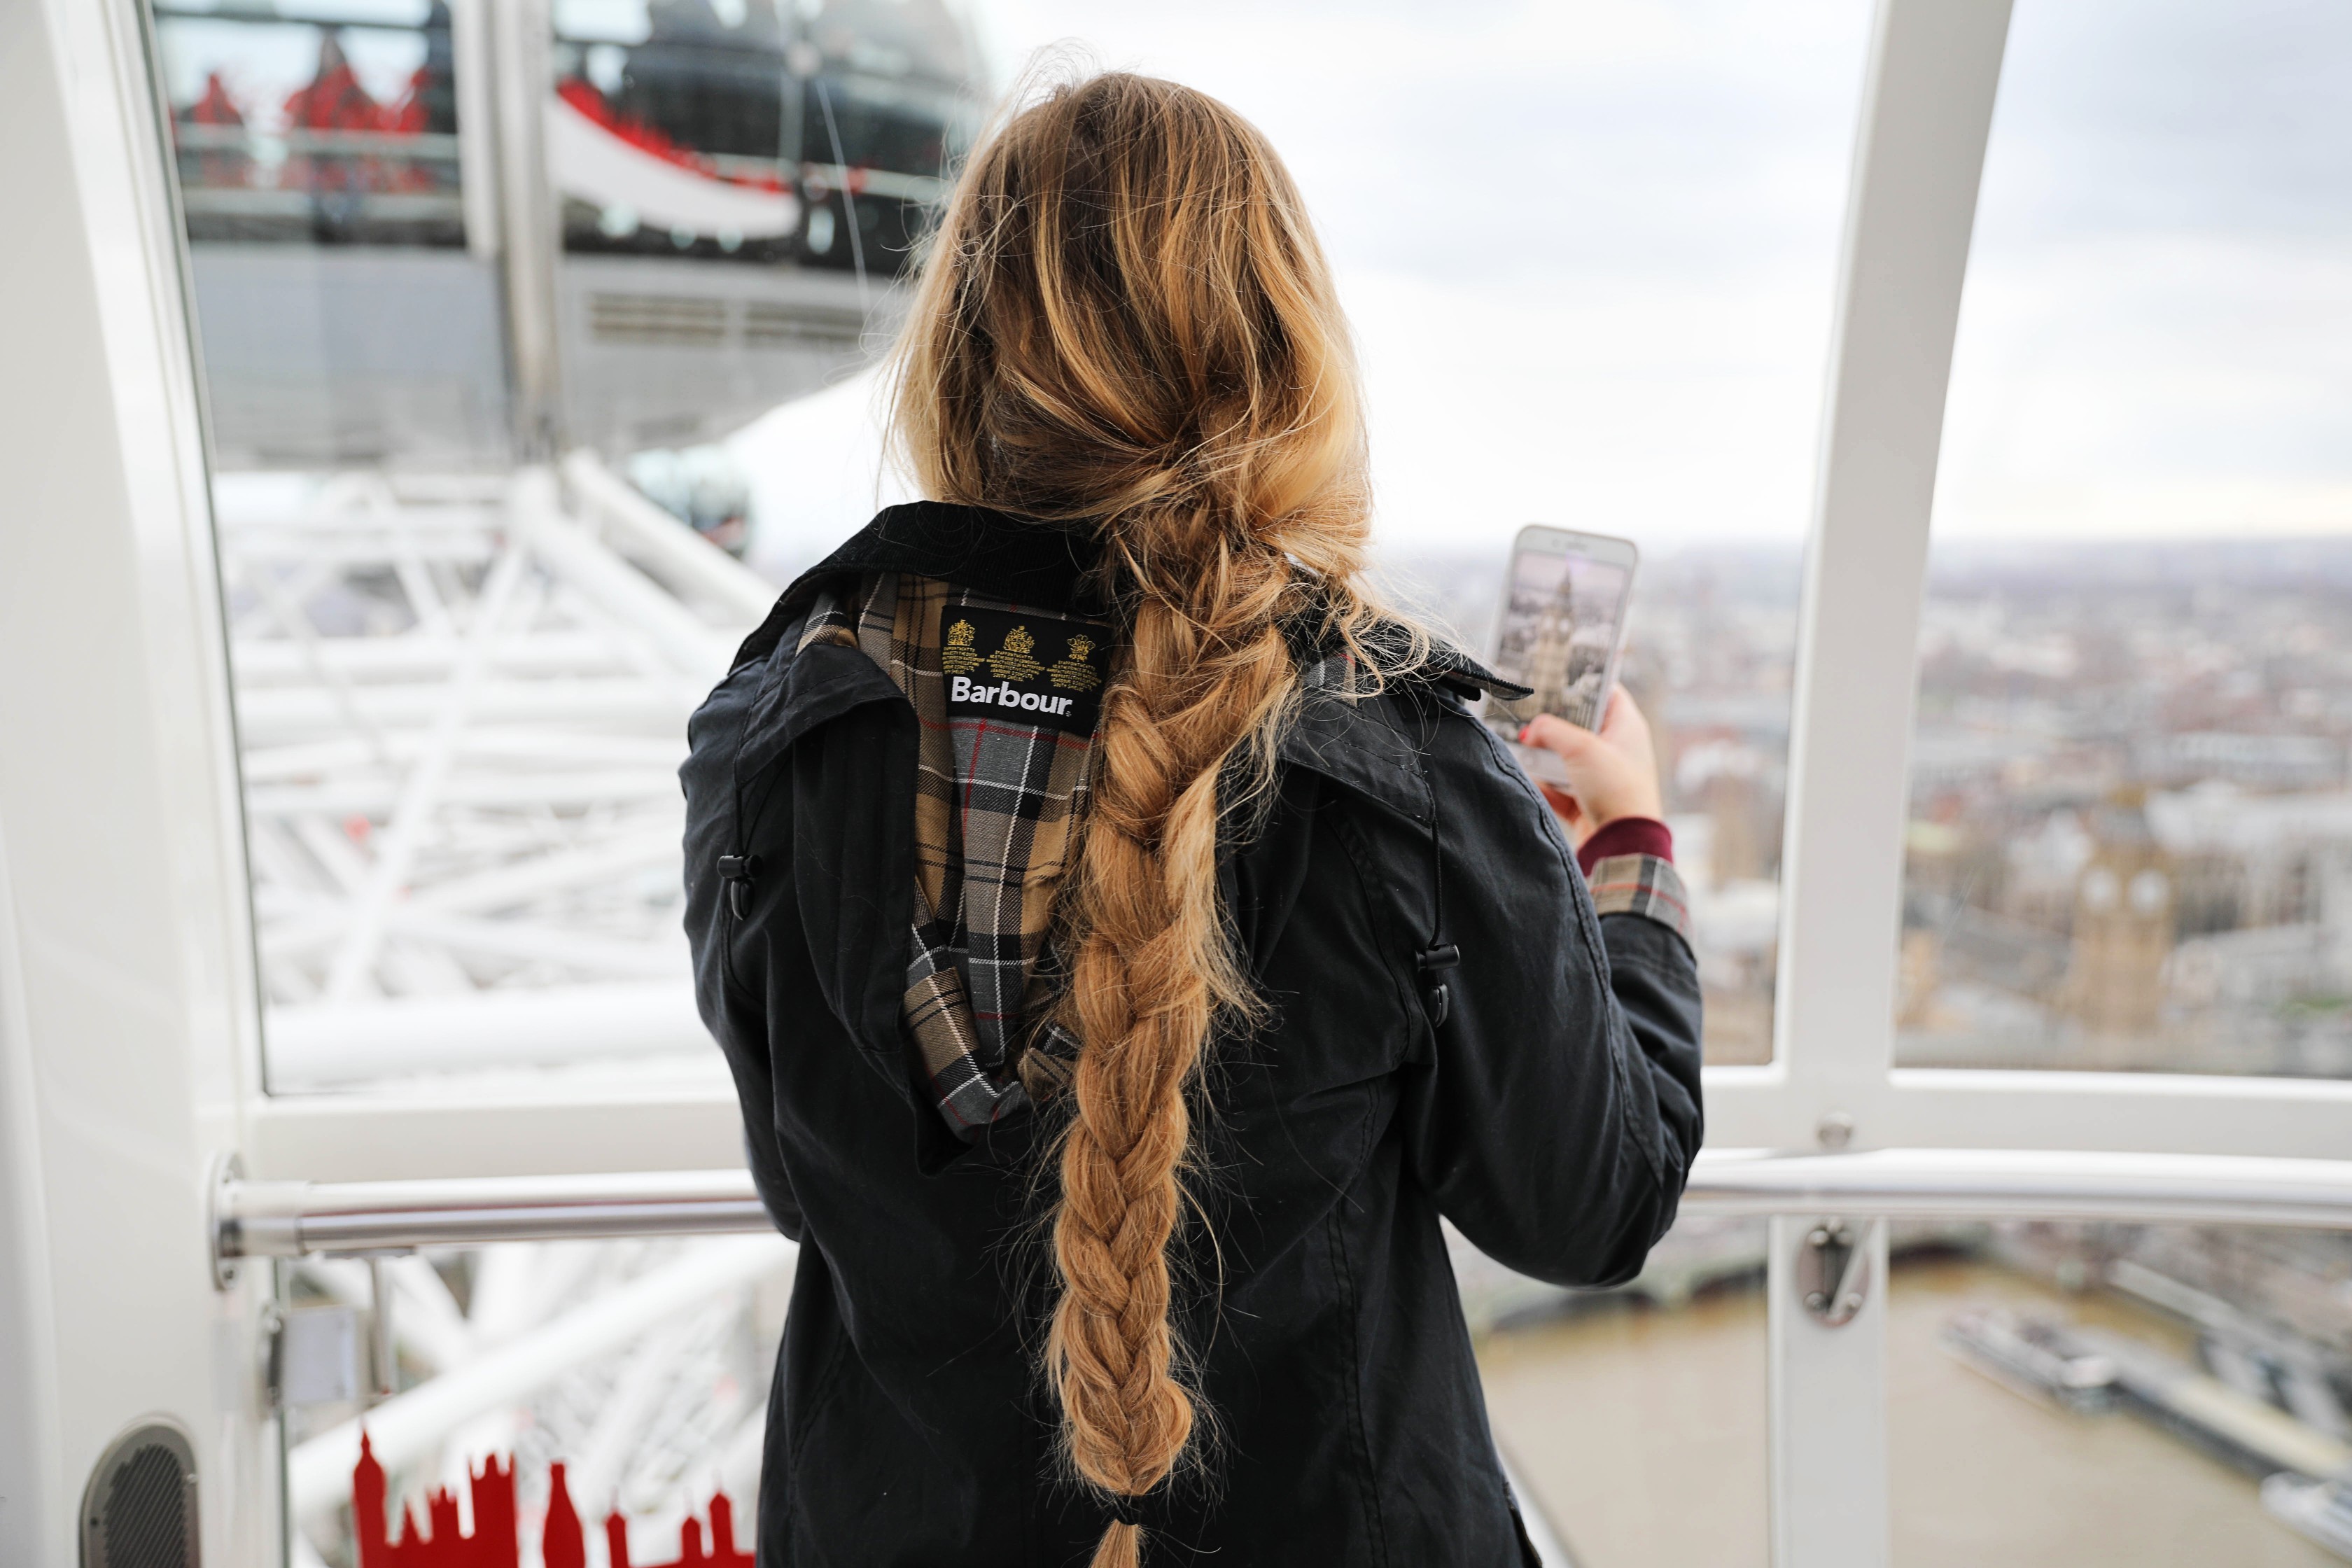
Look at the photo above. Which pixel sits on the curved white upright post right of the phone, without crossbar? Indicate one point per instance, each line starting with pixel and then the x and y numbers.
pixel 1927 109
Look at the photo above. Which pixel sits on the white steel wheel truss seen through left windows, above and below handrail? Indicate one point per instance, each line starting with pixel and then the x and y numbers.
pixel 462 706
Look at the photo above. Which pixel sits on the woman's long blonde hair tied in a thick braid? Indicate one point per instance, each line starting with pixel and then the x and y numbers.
pixel 1125 323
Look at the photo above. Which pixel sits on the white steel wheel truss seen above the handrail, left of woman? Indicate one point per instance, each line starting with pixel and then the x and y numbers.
pixel 462 709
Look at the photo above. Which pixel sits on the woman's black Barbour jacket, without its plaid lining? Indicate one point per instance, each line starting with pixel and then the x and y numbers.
pixel 1551 1115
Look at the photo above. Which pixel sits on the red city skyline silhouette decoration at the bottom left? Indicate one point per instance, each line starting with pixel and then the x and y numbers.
pixel 497 1543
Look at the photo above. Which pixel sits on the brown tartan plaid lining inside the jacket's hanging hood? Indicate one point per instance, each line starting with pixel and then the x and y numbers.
pixel 996 826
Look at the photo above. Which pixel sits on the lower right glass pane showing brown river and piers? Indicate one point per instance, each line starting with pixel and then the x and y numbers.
pixel 2090 1395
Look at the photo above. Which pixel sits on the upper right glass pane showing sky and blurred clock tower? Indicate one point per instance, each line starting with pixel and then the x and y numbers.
pixel 2130 779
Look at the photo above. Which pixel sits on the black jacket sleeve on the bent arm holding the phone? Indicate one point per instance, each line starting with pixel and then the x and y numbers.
pixel 1558 1115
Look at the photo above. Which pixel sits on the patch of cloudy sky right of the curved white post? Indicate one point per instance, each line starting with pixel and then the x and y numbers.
pixel 2158 323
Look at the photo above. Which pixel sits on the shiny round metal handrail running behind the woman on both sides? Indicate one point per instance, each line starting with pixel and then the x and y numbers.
pixel 295 1219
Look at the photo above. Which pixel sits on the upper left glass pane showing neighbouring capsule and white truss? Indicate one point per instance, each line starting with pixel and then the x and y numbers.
pixel 462 678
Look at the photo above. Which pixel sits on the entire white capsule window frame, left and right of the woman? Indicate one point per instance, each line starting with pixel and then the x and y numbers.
pixel 145 878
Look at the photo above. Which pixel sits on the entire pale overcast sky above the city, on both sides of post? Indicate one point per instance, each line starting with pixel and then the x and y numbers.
pixel 1591 248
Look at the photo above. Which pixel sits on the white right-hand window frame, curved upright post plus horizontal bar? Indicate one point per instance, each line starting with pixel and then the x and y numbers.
pixel 1927 112
